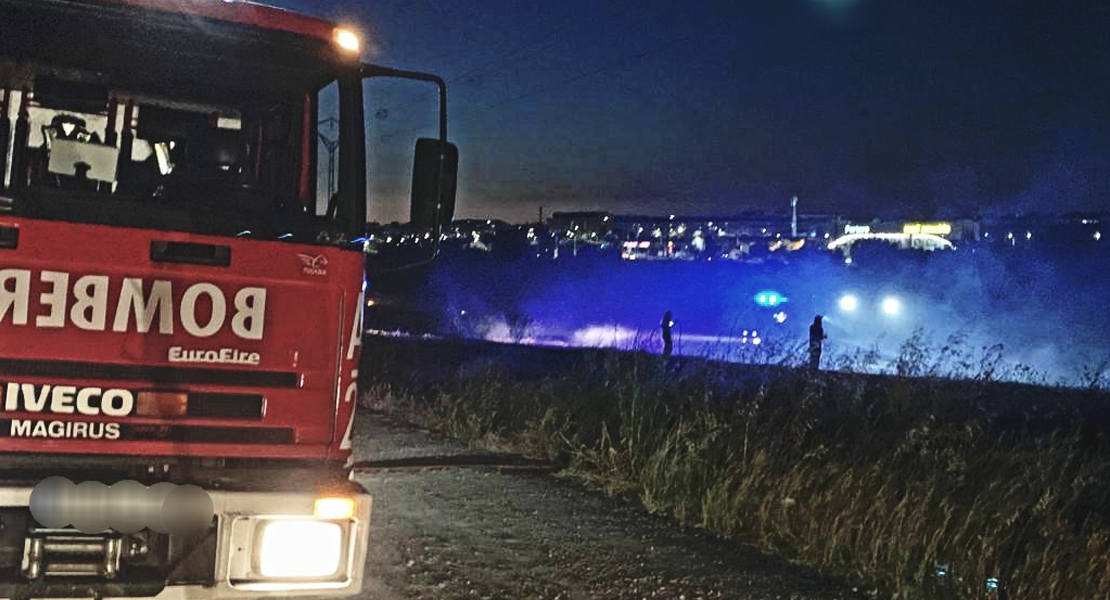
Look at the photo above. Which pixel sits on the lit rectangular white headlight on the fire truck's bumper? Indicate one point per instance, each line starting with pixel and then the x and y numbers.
pixel 300 550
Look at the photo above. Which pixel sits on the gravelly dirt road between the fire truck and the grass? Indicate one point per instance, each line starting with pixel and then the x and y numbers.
pixel 521 533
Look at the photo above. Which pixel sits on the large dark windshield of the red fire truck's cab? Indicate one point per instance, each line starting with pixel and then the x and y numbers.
pixel 157 120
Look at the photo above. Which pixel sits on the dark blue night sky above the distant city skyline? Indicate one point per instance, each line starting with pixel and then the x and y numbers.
pixel 926 109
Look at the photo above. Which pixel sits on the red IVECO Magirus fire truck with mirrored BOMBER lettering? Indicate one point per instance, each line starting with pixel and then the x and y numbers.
pixel 181 281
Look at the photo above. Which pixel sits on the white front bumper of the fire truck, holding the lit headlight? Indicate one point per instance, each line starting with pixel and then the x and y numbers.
pixel 261 545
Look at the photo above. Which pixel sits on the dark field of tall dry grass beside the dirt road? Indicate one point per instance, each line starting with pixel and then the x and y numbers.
pixel 920 487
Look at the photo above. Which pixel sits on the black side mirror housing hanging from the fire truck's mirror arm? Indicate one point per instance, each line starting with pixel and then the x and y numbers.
pixel 436 177
